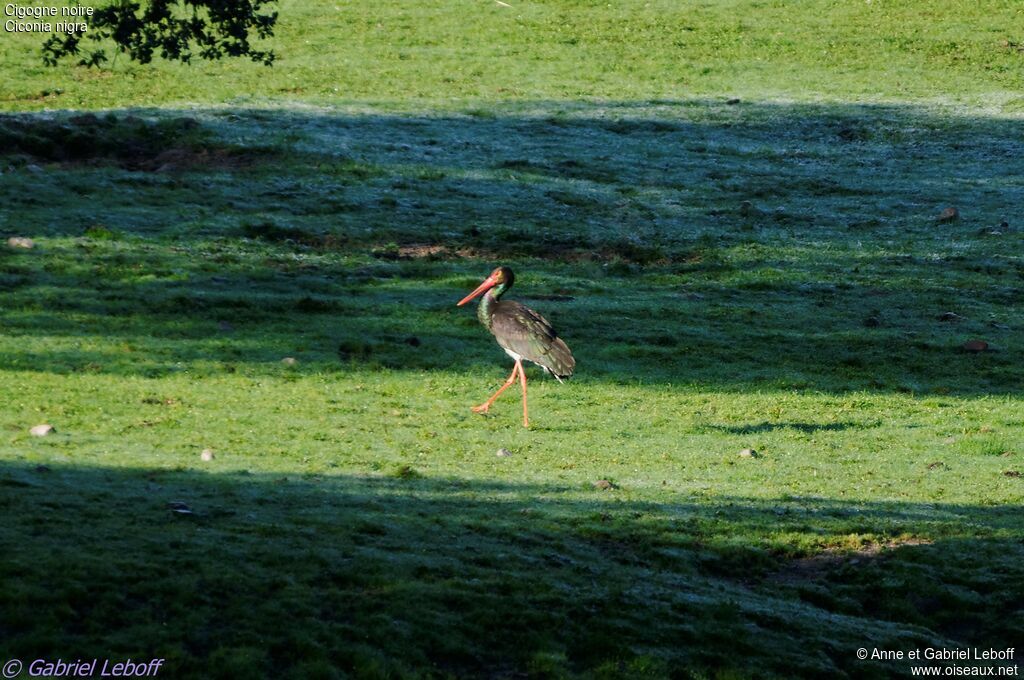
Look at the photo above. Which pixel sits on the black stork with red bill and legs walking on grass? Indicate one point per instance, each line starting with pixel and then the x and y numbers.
pixel 524 334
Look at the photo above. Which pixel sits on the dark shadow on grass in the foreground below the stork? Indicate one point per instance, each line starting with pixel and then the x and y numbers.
pixel 231 573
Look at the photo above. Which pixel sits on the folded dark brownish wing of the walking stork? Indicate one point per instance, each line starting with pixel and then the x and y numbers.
pixel 527 333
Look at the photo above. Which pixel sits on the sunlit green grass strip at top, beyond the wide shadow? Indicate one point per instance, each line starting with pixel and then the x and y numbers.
pixel 447 54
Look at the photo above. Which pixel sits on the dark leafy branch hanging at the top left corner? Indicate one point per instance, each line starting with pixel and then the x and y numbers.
pixel 176 30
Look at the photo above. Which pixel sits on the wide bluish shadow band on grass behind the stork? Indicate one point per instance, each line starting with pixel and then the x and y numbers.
pixel 756 246
